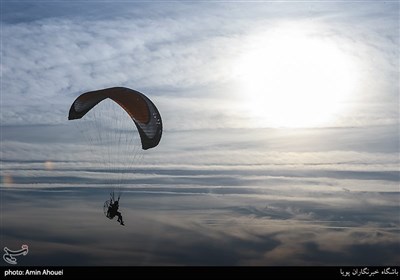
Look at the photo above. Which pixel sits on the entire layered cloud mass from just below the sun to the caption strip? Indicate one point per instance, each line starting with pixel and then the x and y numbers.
pixel 210 205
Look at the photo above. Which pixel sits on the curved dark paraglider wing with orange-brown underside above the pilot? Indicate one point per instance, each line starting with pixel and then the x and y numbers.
pixel 140 108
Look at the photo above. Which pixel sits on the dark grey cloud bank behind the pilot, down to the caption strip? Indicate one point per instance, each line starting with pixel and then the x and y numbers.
pixel 194 230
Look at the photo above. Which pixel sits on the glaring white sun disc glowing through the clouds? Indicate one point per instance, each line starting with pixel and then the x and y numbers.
pixel 293 78
